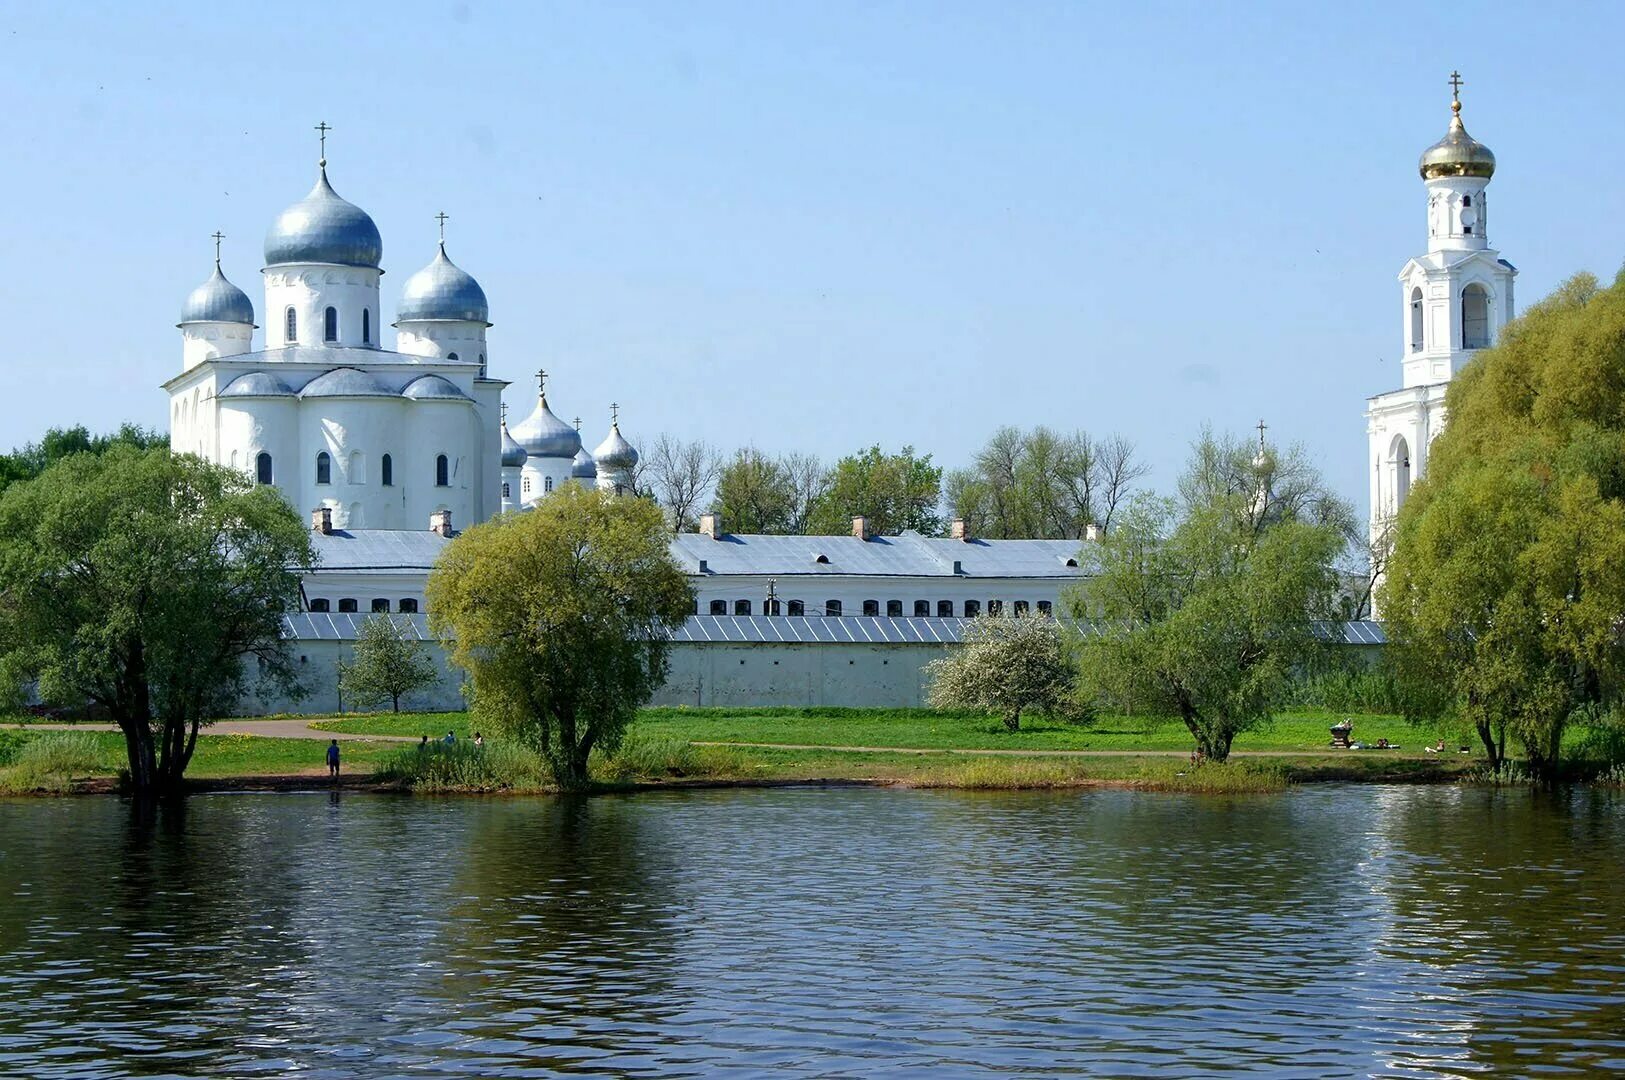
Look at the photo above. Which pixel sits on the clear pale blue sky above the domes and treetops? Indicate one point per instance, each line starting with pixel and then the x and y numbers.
pixel 813 227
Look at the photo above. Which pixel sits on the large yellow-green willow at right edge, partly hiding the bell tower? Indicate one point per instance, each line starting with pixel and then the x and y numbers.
pixel 1506 592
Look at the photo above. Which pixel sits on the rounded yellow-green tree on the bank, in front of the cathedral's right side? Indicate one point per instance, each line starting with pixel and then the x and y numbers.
pixel 561 618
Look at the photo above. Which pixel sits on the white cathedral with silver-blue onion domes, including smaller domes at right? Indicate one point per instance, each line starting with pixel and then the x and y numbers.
pixel 362 436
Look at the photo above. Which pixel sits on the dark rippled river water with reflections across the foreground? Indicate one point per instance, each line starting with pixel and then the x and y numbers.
pixel 1335 931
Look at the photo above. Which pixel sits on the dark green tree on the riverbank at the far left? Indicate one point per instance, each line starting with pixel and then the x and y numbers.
pixel 141 584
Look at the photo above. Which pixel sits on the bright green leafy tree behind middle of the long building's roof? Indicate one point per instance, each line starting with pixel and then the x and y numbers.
pixel 899 491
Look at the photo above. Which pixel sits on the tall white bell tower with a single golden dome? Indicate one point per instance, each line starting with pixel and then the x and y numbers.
pixel 1454 300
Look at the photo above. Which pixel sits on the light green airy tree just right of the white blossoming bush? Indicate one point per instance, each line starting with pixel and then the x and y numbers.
pixel 1205 607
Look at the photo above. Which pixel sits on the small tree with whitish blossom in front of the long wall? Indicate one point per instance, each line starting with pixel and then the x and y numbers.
pixel 1007 665
